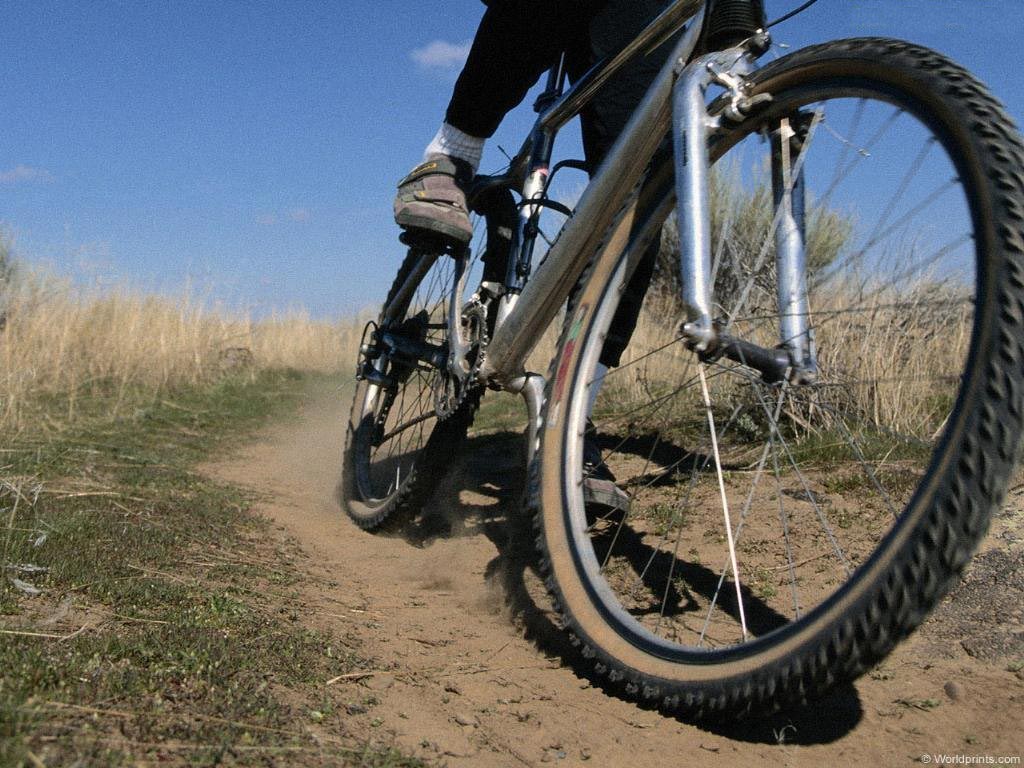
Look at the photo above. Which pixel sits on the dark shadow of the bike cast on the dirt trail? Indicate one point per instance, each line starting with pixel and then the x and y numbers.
pixel 490 473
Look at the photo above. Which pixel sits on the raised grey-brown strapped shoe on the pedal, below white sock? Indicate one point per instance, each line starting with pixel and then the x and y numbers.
pixel 432 199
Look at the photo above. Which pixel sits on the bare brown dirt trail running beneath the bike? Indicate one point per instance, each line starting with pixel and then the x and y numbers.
pixel 458 627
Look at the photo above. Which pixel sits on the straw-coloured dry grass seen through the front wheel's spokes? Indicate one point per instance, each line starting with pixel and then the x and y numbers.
pixel 890 360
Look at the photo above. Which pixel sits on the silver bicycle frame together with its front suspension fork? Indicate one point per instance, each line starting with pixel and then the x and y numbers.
pixel 529 304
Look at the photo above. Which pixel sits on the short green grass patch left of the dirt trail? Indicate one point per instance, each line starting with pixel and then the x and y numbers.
pixel 146 614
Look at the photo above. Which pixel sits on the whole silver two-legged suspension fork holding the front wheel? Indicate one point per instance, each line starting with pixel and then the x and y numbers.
pixel 693 127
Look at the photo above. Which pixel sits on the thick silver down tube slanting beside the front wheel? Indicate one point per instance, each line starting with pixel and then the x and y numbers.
pixel 605 197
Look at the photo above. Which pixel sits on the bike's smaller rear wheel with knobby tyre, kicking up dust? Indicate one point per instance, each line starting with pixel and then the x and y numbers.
pixel 408 414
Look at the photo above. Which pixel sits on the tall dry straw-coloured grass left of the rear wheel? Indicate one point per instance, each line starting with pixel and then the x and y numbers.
pixel 61 347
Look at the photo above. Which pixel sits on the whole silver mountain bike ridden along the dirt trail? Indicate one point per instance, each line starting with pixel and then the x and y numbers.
pixel 822 402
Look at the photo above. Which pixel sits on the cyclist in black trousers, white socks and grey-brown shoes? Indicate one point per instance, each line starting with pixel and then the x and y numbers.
pixel 517 42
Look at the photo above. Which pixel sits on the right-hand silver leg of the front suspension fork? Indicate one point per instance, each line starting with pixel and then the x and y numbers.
pixel 790 197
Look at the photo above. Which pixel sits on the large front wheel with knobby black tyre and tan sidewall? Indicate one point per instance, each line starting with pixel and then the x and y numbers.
pixel 785 537
